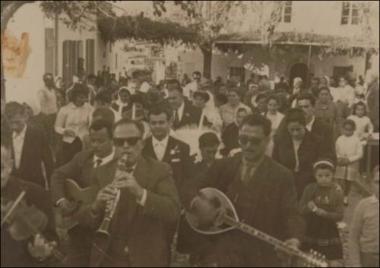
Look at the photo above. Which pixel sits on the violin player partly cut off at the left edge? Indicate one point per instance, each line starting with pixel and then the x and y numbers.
pixel 35 251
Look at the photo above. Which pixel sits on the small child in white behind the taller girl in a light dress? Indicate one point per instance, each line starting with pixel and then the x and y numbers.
pixel 364 127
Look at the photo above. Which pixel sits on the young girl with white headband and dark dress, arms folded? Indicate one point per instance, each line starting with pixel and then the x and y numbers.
pixel 322 207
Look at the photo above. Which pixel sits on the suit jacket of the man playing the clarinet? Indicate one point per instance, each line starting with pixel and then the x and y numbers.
pixel 142 230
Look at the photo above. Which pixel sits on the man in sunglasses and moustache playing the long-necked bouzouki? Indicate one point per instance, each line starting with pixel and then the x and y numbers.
pixel 264 196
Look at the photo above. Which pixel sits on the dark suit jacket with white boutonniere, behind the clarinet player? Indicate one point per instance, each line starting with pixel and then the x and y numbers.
pixel 177 155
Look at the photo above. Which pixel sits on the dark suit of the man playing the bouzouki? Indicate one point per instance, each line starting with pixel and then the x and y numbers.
pixel 267 202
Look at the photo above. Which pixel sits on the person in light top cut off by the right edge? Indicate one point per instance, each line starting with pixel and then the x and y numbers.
pixel 364 232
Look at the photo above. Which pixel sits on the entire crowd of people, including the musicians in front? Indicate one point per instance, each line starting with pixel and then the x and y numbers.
pixel 286 153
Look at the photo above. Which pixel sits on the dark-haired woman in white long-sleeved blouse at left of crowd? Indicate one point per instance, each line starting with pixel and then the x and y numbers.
pixel 72 123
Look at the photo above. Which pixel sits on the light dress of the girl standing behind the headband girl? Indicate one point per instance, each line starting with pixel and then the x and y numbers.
pixel 351 148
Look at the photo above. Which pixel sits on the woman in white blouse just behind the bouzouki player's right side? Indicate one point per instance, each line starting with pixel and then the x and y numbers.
pixel 275 117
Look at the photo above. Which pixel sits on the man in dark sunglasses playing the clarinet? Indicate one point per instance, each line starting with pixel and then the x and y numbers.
pixel 147 209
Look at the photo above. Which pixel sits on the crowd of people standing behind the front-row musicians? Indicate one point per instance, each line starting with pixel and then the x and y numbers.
pixel 330 118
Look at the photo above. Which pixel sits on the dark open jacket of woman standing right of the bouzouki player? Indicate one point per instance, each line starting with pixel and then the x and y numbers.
pixel 310 150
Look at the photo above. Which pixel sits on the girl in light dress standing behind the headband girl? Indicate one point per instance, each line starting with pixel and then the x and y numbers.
pixel 349 151
